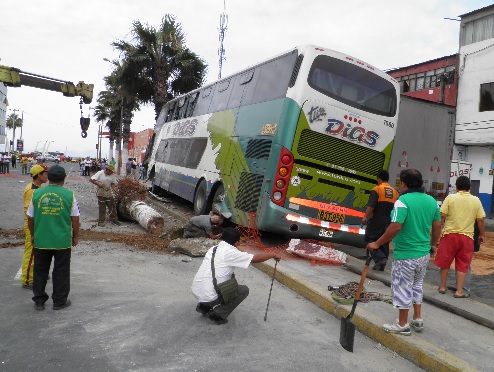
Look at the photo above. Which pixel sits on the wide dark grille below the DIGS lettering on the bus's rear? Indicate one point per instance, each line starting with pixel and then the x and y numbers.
pixel 330 150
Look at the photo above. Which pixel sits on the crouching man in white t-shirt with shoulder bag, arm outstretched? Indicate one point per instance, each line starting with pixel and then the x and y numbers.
pixel 227 258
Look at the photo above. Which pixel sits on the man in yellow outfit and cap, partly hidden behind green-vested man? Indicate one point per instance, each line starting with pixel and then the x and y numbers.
pixel 40 176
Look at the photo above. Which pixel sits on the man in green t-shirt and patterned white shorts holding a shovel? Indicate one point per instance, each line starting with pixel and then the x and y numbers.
pixel 414 215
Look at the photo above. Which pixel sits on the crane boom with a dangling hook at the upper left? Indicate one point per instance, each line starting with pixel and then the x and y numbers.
pixel 13 77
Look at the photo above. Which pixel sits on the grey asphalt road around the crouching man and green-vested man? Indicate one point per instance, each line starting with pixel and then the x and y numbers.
pixel 133 311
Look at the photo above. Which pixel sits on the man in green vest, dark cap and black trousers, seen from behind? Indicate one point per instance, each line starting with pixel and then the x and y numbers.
pixel 53 220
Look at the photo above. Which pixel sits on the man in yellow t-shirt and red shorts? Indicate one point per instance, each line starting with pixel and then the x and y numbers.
pixel 458 214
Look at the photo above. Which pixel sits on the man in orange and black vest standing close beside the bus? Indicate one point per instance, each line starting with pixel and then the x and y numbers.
pixel 377 217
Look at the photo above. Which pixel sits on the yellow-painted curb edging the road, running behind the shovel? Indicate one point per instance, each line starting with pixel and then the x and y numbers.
pixel 420 352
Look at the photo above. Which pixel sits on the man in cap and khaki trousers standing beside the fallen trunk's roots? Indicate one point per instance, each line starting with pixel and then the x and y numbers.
pixel 106 182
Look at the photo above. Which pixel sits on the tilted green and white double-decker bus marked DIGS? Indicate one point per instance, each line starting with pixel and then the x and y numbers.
pixel 291 145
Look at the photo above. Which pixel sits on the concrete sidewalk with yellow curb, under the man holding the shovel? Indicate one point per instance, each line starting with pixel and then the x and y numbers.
pixel 450 341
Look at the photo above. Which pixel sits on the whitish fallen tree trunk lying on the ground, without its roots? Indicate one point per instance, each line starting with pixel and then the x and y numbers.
pixel 142 213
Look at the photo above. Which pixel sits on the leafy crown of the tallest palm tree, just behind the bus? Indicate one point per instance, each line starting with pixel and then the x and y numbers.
pixel 157 64
